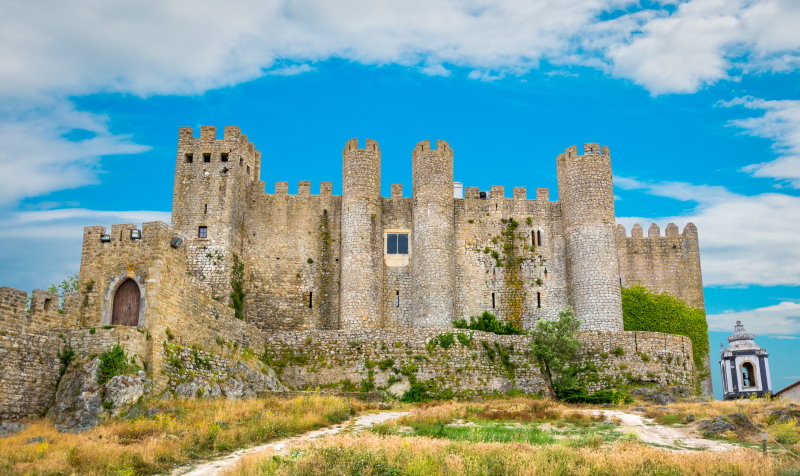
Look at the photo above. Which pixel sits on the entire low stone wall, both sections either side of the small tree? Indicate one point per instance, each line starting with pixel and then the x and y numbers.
pixel 466 362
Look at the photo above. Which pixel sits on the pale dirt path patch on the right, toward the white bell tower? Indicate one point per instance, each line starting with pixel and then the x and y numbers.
pixel 675 438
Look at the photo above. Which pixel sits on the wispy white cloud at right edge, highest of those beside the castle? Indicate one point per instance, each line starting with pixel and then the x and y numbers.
pixel 780 123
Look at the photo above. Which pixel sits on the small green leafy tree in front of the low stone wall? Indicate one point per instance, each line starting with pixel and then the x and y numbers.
pixel 555 346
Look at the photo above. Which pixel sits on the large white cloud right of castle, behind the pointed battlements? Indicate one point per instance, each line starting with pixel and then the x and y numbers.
pixel 743 239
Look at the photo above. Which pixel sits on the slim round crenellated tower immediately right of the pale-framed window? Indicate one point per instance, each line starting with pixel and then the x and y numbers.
pixel 433 237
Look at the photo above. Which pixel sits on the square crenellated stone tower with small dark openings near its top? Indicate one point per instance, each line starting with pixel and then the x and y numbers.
pixel 213 178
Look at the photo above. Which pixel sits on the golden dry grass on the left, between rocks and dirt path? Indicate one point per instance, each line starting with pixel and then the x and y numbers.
pixel 185 430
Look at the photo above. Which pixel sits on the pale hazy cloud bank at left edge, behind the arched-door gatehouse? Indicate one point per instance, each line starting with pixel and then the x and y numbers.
pixel 43 247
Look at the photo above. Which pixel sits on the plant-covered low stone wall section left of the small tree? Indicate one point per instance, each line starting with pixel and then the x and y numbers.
pixel 447 360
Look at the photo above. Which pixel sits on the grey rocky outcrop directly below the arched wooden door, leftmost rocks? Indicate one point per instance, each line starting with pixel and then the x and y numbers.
pixel 81 402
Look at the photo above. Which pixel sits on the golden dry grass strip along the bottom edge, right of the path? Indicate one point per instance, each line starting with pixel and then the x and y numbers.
pixel 370 454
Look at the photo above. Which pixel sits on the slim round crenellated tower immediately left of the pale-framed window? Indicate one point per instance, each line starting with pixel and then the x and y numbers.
pixel 362 239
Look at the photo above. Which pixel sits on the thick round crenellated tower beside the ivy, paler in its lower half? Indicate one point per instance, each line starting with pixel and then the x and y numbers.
pixel 587 208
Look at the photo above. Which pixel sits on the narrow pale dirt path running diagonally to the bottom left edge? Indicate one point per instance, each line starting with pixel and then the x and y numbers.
pixel 218 465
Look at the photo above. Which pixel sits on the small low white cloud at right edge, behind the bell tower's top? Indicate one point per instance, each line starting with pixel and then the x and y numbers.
pixel 782 318
